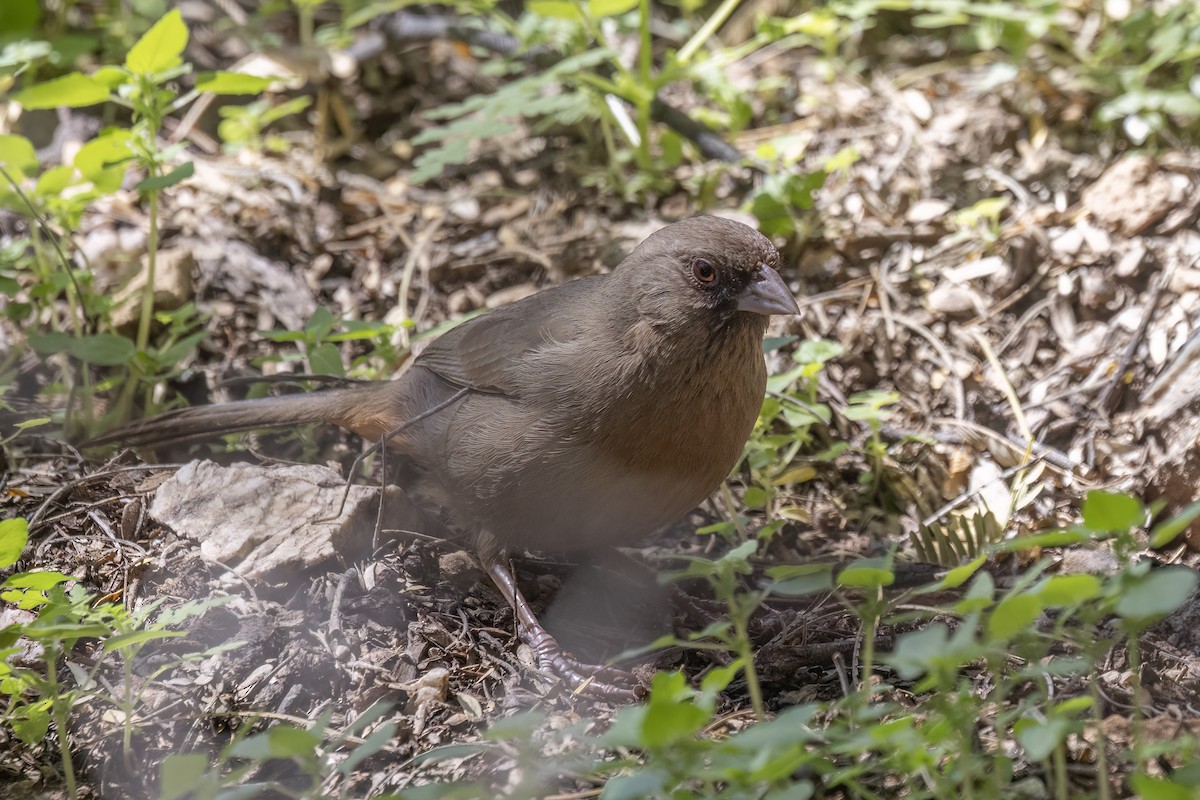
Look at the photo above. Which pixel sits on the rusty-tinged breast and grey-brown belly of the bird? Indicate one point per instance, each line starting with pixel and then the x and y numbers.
pixel 604 460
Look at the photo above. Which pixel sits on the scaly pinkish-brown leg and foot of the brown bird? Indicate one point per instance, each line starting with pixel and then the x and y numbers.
pixel 605 682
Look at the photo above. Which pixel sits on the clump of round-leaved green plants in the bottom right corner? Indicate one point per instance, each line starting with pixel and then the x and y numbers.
pixel 1076 610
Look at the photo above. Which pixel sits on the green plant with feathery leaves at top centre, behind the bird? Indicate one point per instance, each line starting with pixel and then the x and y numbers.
pixel 590 85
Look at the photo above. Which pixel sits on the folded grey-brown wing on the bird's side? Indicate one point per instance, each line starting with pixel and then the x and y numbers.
pixel 482 353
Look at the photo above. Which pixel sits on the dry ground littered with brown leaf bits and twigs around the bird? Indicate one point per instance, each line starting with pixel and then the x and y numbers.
pixel 1079 299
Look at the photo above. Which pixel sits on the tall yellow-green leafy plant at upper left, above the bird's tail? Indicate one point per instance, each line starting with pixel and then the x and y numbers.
pixel 55 201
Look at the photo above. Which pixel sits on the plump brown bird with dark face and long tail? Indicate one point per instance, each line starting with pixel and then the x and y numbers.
pixel 581 418
